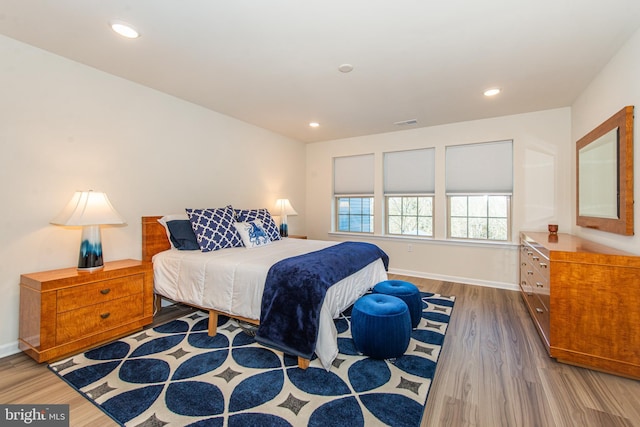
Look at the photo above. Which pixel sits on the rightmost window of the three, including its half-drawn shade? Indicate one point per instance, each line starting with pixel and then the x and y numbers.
pixel 479 184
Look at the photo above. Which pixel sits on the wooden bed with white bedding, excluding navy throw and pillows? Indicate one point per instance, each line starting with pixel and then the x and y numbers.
pixel 231 281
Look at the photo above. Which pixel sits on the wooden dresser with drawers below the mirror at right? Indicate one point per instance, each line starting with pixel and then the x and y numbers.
pixel 584 299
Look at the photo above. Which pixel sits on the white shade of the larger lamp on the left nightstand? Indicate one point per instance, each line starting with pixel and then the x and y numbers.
pixel 88 208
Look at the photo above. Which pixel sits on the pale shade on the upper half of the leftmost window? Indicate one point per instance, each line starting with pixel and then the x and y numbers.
pixel 353 174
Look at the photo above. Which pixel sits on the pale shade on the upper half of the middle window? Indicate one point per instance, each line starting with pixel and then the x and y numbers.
pixel 409 172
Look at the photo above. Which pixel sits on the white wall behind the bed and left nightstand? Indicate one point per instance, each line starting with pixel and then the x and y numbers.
pixel 67 127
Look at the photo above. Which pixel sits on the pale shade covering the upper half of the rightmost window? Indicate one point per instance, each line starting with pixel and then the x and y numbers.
pixel 480 168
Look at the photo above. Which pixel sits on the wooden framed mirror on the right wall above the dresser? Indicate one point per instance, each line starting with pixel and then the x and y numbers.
pixel 604 167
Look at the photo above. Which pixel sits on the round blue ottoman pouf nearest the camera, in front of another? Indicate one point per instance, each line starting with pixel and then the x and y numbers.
pixel 381 326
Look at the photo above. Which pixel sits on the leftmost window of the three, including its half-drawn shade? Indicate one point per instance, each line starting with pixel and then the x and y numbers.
pixel 353 183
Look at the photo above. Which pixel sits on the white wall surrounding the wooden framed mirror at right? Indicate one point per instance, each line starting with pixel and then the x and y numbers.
pixel 616 86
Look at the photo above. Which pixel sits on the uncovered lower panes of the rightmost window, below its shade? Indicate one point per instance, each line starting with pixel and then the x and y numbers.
pixel 479 217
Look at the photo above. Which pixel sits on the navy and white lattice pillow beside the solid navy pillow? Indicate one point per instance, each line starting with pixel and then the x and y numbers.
pixel 214 228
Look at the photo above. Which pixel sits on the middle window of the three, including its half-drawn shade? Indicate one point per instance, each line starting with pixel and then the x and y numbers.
pixel 409 183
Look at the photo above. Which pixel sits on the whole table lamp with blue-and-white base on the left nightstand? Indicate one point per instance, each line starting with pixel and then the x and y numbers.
pixel 89 209
